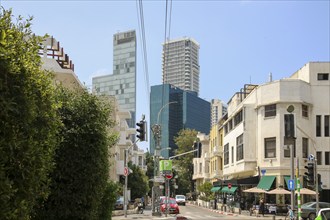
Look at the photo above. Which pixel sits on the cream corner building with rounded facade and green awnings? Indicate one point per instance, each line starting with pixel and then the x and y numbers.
pixel 253 132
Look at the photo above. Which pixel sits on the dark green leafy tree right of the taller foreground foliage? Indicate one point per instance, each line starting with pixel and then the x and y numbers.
pixel 80 177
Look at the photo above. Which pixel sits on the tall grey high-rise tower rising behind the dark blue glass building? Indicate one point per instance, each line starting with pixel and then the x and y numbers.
pixel 181 64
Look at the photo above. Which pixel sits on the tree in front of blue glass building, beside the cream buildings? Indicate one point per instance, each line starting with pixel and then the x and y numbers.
pixel 184 166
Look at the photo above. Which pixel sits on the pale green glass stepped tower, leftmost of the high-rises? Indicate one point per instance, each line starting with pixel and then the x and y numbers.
pixel 122 83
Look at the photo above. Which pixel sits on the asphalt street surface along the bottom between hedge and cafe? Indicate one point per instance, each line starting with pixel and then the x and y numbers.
pixel 193 212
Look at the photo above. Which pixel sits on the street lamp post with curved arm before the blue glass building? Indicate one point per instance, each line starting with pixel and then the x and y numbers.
pixel 157 136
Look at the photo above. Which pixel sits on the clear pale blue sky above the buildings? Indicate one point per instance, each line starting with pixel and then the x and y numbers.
pixel 241 42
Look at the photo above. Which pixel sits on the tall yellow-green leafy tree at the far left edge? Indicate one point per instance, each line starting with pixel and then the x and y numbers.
pixel 28 120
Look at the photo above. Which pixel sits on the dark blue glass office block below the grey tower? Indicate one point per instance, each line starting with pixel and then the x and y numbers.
pixel 175 109
